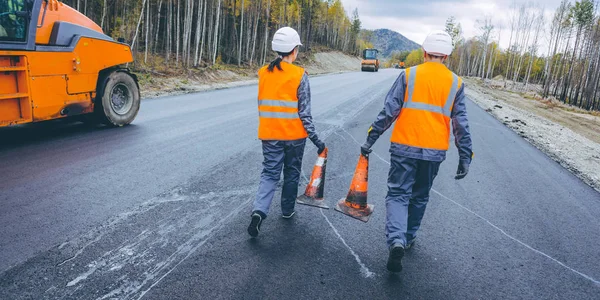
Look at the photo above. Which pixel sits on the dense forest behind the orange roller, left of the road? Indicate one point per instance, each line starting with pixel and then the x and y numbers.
pixel 203 33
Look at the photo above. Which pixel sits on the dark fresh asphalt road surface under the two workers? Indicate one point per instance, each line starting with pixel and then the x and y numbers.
pixel 159 210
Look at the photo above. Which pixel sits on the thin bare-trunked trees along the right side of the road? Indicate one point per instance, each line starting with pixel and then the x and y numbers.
pixel 560 54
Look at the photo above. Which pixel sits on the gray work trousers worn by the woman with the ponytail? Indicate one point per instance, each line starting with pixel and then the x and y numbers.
pixel 278 155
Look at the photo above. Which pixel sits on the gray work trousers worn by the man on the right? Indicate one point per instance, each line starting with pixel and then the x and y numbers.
pixel 409 183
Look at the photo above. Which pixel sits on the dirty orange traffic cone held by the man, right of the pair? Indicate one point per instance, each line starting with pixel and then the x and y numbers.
pixel 355 204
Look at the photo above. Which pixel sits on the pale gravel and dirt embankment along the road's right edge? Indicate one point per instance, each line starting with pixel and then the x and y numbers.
pixel 569 136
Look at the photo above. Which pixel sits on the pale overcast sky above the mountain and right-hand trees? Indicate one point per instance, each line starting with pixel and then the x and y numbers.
pixel 414 18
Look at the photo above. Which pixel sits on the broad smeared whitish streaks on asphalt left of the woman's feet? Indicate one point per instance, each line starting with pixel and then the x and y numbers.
pixel 135 252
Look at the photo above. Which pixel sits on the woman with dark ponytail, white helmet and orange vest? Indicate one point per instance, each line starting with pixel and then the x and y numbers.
pixel 285 121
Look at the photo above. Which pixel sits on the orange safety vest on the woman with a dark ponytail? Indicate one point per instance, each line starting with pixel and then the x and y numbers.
pixel 278 104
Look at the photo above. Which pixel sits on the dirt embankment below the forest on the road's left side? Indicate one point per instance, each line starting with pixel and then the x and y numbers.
pixel 155 85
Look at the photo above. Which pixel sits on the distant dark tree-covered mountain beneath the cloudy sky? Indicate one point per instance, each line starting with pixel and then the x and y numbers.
pixel 388 41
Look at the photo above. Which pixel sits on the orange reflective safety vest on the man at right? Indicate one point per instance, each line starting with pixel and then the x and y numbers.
pixel 424 120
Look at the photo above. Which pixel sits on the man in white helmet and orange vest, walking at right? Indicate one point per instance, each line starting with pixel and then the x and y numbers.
pixel 423 102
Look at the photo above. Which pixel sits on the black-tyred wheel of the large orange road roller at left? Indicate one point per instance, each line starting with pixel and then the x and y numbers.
pixel 118 100
